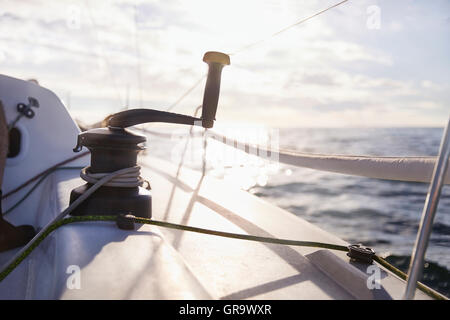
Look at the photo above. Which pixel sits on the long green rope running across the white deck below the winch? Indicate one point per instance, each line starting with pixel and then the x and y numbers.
pixel 5 272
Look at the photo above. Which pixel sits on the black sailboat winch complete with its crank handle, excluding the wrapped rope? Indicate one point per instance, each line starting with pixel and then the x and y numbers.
pixel 115 148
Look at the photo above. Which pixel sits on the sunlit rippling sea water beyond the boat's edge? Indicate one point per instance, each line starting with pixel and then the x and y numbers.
pixel 378 213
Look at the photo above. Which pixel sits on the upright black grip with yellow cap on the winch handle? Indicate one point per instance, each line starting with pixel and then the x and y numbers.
pixel 216 61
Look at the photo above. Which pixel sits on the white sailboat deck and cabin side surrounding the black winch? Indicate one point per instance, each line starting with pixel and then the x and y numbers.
pixel 96 260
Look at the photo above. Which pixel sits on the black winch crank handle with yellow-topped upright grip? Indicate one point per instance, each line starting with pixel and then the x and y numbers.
pixel 216 61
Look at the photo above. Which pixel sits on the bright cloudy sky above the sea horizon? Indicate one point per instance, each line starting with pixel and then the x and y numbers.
pixel 361 64
